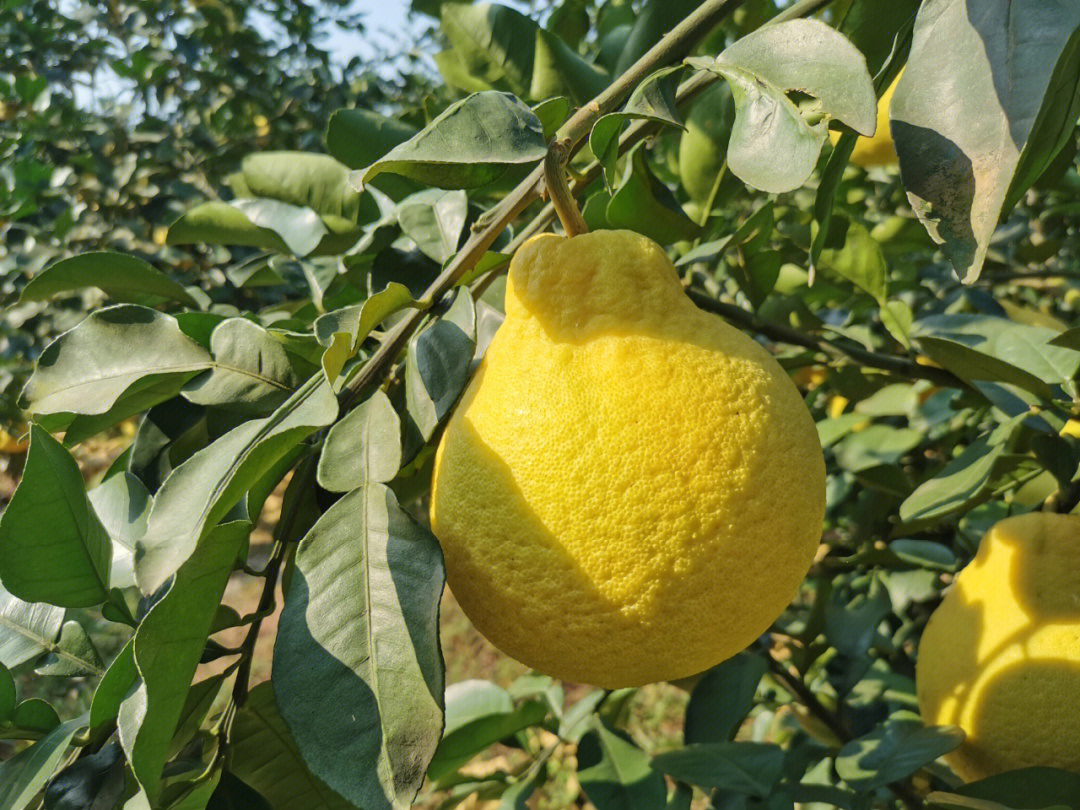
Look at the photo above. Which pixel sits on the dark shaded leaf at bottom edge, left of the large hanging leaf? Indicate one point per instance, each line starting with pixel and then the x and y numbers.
pixel 266 758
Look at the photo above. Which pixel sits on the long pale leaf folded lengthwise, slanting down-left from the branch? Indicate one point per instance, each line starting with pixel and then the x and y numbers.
pixel 200 493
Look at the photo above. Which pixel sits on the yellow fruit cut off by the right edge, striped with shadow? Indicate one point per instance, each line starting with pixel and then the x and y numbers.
pixel 1001 657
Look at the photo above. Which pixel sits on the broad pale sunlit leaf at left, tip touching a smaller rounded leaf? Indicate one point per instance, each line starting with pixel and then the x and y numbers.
pixel 114 362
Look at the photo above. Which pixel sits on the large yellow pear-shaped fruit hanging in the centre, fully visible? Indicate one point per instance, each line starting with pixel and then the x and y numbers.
pixel 630 490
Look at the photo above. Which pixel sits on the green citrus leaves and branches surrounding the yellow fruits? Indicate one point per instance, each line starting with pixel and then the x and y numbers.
pixel 321 286
